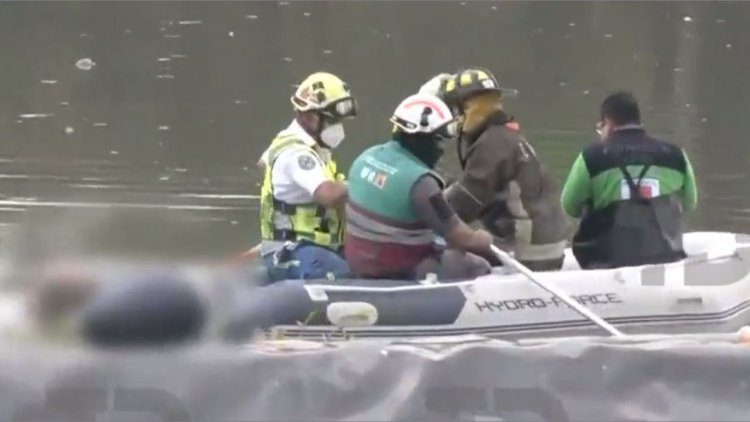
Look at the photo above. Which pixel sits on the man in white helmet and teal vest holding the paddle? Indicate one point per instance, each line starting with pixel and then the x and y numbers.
pixel 396 206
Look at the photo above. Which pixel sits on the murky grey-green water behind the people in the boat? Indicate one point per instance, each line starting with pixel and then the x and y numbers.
pixel 182 98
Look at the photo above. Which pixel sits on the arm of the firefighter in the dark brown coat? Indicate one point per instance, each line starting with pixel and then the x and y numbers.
pixel 488 161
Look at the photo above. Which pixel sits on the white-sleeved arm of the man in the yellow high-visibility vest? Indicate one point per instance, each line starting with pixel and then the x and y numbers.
pixel 307 171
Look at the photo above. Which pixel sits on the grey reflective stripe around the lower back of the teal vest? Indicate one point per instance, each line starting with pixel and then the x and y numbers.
pixel 368 228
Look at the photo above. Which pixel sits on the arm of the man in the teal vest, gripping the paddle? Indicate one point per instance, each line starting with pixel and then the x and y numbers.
pixel 430 205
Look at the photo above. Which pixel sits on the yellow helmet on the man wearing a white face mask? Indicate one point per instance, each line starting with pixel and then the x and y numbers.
pixel 326 93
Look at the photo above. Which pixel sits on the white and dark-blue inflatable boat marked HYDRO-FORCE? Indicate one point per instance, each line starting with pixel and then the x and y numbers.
pixel 707 292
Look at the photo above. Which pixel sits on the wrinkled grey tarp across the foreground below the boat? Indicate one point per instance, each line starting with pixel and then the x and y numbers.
pixel 576 379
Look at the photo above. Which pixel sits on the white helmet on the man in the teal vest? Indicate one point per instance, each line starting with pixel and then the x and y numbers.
pixel 426 114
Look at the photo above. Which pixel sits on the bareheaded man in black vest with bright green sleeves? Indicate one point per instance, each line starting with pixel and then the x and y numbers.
pixel 630 191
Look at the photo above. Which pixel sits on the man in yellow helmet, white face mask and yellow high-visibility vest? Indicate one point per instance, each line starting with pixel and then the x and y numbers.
pixel 303 193
